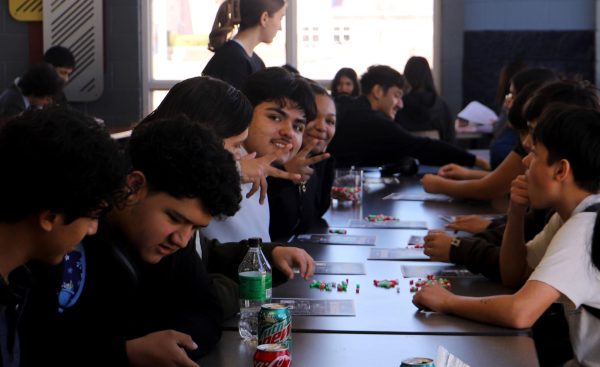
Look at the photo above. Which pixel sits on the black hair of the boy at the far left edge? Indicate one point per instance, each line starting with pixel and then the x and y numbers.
pixel 58 160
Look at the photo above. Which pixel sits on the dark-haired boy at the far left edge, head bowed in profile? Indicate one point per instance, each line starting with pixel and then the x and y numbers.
pixel 60 172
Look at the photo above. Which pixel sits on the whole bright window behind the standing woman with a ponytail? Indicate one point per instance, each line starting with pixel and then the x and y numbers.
pixel 327 35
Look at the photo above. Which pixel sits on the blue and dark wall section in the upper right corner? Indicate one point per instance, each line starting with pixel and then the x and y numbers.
pixel 559 34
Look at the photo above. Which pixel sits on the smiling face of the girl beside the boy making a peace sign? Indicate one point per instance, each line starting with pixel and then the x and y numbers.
pixel 322 128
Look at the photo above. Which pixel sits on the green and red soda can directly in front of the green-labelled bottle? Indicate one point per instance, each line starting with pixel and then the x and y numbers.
pixel 275 325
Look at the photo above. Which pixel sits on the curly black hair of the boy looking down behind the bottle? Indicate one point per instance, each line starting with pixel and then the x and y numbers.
pixel 185 159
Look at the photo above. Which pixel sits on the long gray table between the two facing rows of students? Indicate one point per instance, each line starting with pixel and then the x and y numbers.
pixel 387 325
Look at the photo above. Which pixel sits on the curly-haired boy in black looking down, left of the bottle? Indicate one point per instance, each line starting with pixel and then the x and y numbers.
pixel 145 297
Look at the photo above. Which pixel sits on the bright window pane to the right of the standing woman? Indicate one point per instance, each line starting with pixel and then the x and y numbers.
pixel 358 33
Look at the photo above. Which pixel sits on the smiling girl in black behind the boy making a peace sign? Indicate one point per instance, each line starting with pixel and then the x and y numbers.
pixel 296 206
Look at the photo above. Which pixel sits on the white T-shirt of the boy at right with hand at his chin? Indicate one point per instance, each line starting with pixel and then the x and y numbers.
pixel 560 255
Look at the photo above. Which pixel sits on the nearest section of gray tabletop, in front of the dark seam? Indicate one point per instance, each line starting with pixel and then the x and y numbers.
pixel 326 350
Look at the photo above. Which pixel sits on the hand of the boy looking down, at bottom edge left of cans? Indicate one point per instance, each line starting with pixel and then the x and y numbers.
pixel 161 348
